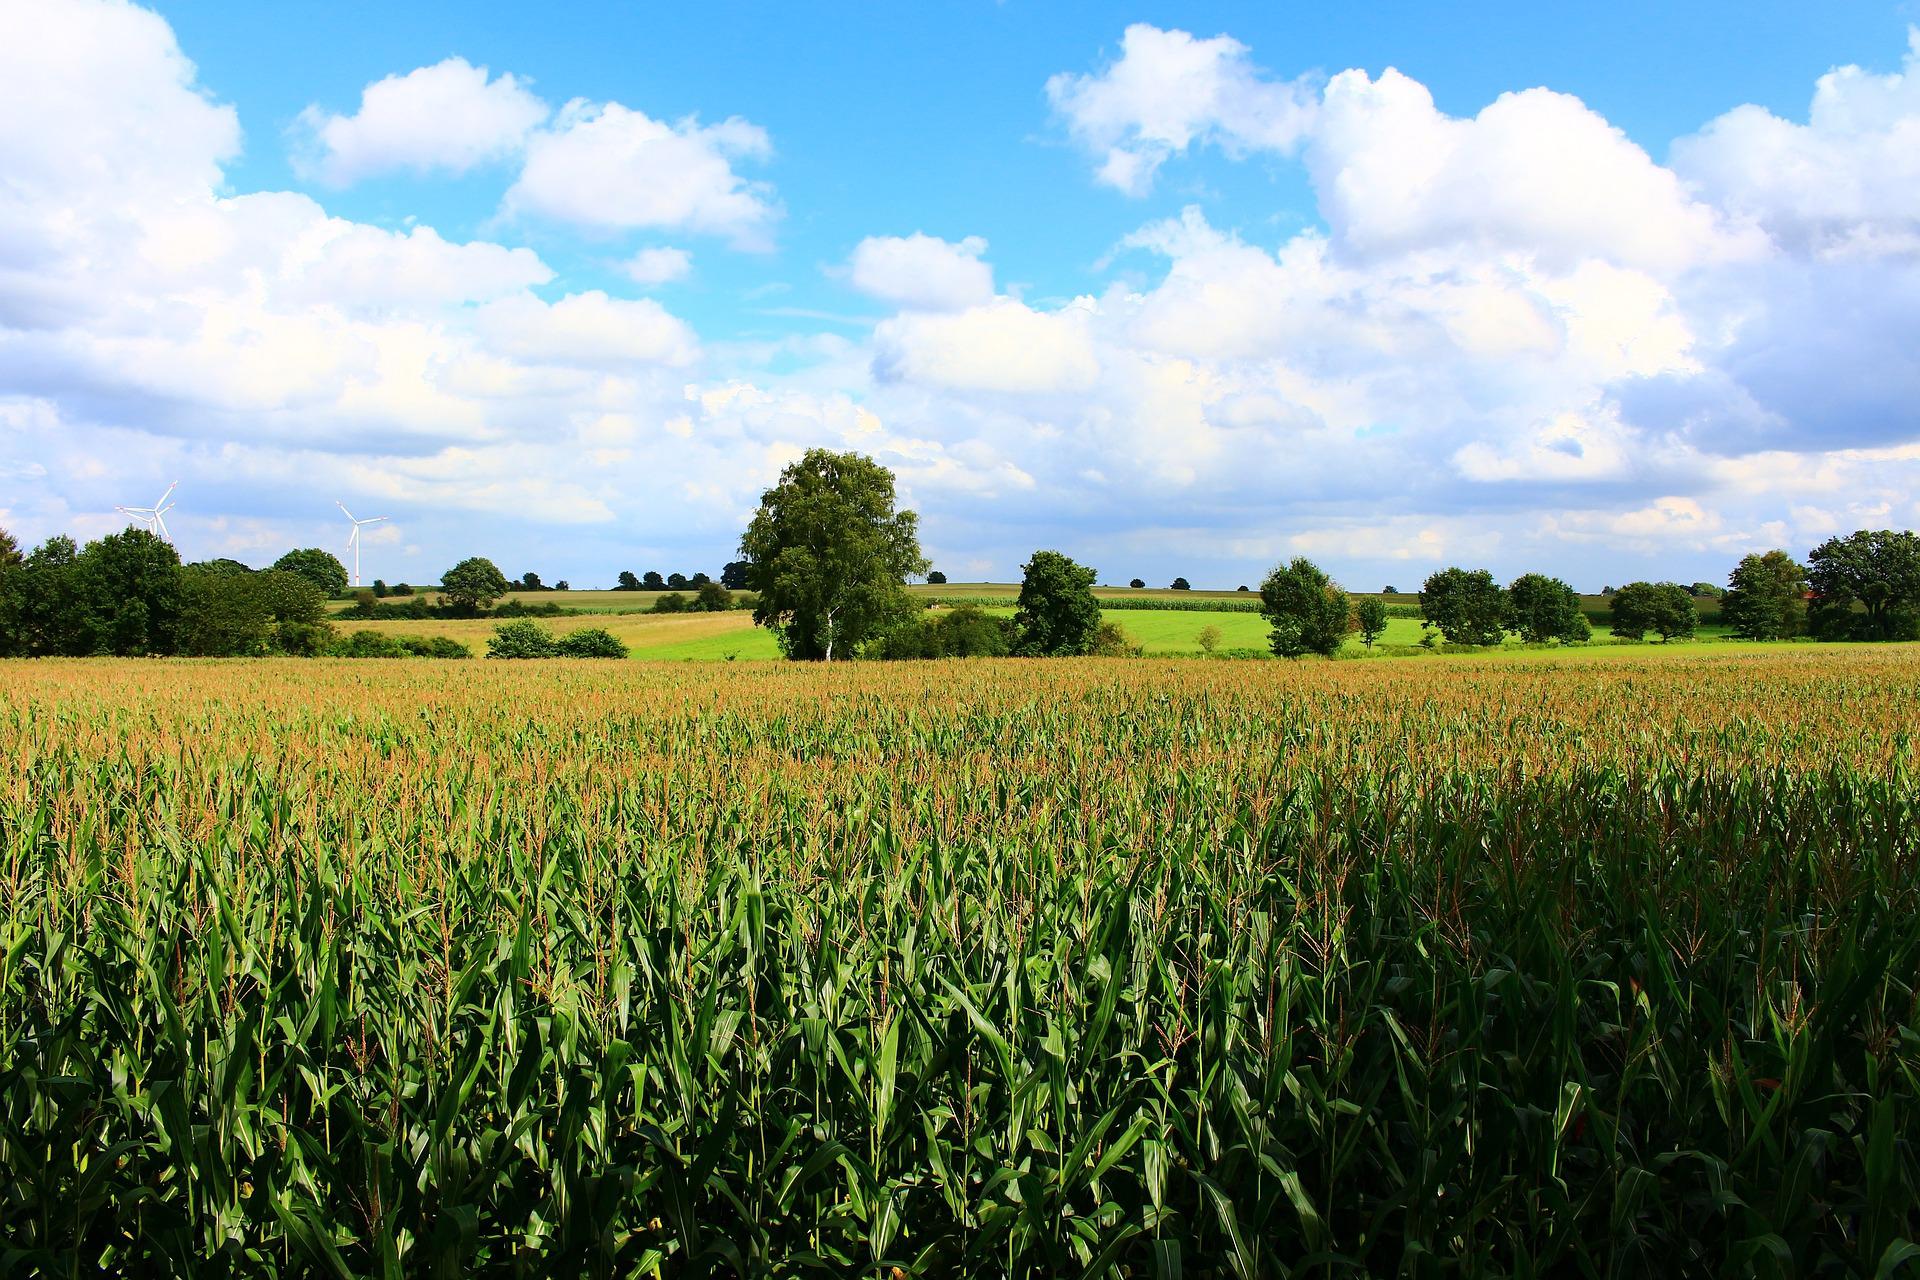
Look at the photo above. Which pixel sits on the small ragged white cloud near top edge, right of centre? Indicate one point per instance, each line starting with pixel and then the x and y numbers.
pixel 1170 91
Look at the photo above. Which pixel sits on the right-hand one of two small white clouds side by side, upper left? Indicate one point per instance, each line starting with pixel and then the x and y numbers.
pixel 610 168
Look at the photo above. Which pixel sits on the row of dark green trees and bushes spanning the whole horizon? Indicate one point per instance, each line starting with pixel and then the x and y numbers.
pixel 828 556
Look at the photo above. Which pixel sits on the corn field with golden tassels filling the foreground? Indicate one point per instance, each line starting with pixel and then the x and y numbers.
pixel 961 968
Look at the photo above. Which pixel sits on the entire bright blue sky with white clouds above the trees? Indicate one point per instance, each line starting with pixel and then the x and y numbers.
pixel 1174 289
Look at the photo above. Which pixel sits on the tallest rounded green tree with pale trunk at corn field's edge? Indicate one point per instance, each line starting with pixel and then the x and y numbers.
pixel 830 556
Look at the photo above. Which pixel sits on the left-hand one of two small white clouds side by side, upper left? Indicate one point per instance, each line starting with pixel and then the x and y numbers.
pixel 444 118
